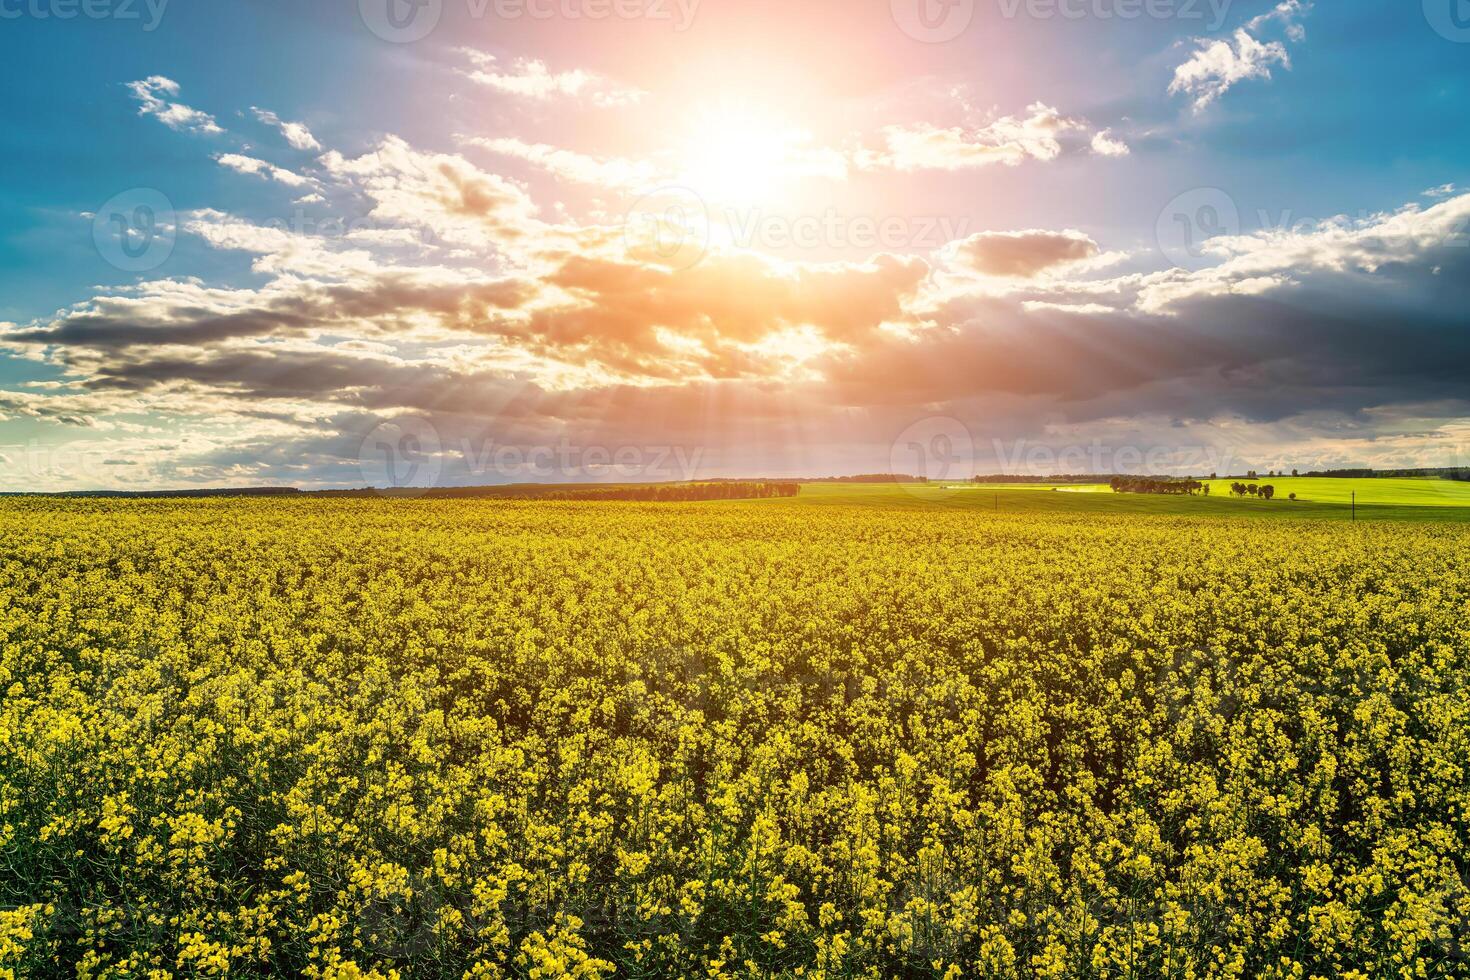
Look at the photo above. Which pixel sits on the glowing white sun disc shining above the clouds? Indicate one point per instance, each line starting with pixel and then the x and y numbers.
pixel 742 158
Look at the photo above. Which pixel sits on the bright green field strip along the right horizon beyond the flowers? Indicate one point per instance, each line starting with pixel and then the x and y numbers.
pixel 1318 499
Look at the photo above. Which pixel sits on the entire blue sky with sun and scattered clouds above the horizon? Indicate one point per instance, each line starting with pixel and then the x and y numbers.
pixel 489 242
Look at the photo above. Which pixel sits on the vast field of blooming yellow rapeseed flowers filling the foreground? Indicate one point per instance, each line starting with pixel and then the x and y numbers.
pixel 376 740
